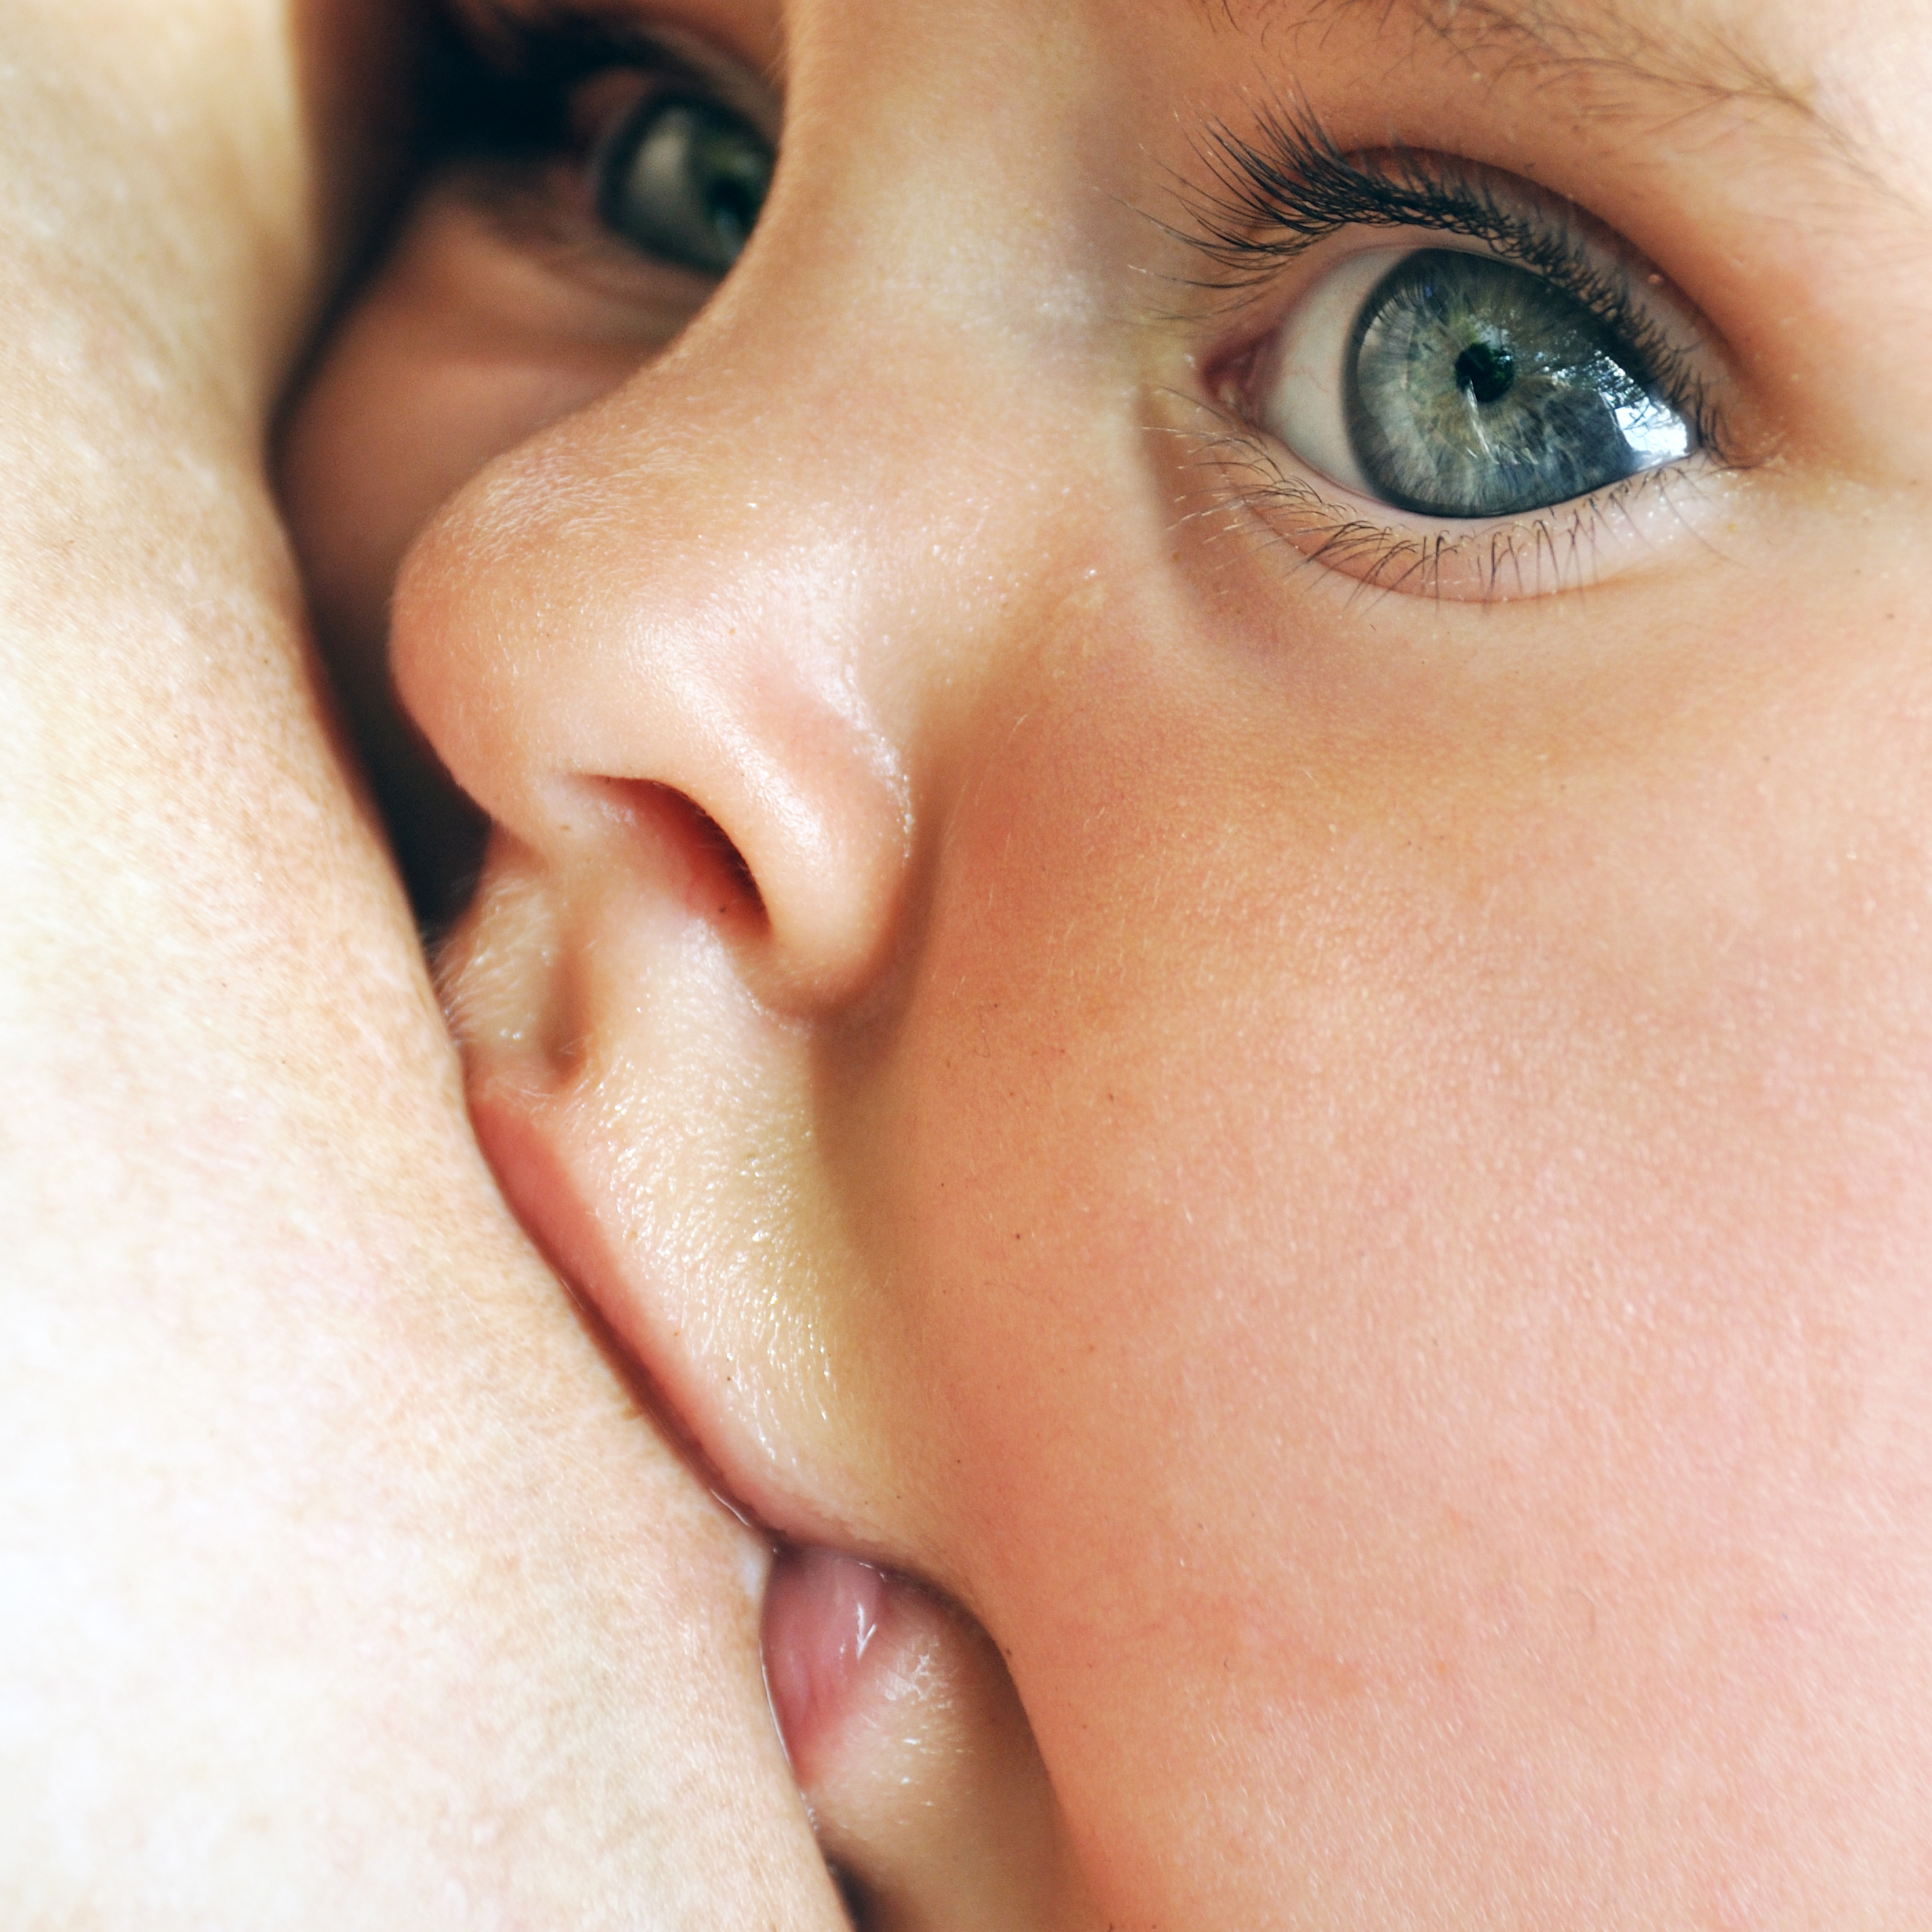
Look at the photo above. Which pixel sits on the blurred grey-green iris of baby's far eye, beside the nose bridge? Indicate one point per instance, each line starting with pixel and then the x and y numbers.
pixel 683 179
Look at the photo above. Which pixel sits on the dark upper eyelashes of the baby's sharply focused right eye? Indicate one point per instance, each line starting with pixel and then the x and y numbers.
pixel 1288 186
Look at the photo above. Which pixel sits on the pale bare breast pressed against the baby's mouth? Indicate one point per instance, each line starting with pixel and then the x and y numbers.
pixel 341 1579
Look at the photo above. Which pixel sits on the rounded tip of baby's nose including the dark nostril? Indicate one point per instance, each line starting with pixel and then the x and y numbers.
pixel 621 675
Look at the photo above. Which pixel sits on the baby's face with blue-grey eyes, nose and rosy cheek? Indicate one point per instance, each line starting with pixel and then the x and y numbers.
pixel 1212 894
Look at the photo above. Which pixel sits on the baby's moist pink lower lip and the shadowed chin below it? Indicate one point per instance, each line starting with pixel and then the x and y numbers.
pixel 913 1753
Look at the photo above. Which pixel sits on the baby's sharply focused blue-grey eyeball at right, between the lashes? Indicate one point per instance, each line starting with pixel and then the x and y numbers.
pixel 1452 384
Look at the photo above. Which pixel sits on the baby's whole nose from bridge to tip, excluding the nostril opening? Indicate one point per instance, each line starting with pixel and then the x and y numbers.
pixel 737 575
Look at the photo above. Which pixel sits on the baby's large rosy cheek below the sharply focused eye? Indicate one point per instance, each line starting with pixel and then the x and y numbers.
pixel 1406 1276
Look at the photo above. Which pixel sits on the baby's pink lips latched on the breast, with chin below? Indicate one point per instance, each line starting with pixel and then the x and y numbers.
pixel 903 1726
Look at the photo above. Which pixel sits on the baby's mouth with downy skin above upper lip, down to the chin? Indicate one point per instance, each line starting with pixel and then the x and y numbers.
pixel 608 1122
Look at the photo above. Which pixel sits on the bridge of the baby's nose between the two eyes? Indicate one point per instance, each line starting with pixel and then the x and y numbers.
pixel 888 358
